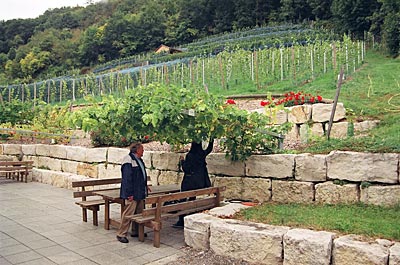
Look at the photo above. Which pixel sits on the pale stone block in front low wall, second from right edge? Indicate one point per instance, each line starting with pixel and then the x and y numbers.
pixel 350 250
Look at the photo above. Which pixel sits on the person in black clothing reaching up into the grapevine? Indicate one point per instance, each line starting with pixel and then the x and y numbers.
pixel 195 171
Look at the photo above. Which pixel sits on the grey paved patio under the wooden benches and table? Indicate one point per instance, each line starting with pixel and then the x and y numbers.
pixel 41 224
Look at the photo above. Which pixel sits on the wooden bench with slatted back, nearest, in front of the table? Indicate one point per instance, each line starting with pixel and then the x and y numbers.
pixel 207 198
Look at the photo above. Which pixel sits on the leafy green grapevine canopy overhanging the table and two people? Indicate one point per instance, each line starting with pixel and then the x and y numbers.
pixel 177 116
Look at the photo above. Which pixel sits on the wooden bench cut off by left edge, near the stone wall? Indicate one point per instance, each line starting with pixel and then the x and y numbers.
pixel 16 169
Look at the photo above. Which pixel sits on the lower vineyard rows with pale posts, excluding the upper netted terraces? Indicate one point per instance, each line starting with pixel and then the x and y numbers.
pixel 227 70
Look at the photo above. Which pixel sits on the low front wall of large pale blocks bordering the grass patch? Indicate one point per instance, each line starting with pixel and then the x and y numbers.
pixel 267 244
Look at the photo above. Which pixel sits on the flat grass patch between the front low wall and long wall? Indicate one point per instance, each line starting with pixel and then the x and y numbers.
pixel 364 220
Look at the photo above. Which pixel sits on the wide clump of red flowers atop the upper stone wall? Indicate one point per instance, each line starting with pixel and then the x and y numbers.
pixel 292 99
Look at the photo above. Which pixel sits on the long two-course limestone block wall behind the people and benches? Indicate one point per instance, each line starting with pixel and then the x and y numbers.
pixel 339 177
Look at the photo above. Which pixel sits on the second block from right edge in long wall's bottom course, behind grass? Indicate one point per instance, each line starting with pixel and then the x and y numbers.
pixel 331 193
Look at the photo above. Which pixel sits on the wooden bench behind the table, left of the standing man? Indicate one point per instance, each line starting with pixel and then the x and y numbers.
pixel 88 188
